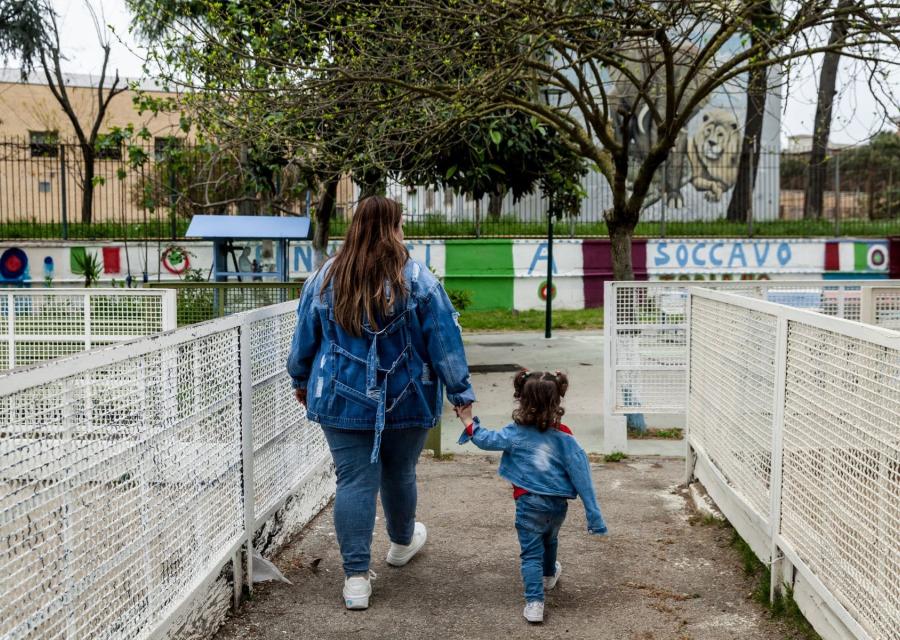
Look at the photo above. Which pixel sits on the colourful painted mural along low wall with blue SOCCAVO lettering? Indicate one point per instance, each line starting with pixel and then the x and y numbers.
pixel 507 273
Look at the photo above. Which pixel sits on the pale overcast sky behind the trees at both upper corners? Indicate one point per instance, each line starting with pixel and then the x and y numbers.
pixel 856 117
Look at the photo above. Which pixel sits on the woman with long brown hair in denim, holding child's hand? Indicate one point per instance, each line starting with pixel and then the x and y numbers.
pixel 376 336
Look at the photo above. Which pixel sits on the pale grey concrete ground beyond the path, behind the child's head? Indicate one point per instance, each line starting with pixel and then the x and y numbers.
pixel 579 354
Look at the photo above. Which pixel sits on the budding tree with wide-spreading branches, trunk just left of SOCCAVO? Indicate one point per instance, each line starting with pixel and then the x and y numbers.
pixel 617 63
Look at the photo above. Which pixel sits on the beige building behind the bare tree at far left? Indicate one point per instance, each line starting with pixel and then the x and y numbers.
pixel 38 148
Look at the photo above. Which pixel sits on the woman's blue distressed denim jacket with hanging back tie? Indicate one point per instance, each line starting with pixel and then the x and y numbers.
pixel 389 378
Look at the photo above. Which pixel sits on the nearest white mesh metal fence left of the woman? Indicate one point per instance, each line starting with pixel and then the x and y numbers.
pixel 130 475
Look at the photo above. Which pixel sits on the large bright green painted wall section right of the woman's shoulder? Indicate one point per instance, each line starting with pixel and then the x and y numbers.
pixel 483 267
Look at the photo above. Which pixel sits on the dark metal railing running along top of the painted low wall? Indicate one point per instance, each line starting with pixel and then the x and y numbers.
pixel 45 187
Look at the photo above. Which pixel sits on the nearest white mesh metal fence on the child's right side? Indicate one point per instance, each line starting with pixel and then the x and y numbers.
pixel 794 418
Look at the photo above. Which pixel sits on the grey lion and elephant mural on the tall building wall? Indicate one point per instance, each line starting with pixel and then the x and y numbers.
pixel 701 171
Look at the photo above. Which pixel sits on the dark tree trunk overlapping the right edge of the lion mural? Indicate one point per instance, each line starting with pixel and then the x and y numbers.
pixel 741 203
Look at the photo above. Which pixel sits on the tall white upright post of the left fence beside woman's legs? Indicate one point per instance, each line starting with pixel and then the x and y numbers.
pixel 247 475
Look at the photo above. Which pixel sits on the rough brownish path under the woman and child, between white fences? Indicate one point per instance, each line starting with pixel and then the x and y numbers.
pixel 656 577
